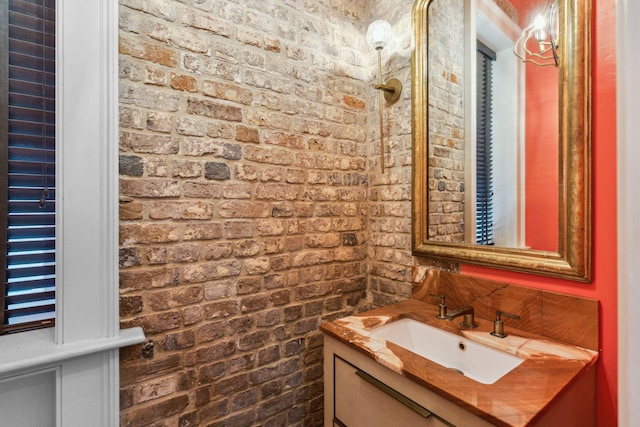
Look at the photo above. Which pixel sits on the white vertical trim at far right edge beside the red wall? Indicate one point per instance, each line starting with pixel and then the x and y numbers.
pixel 628 147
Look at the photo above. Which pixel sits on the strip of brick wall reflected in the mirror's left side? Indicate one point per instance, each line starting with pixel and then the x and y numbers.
pixel 446 121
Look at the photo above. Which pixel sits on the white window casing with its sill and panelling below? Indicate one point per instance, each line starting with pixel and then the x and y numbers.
pixel 79 357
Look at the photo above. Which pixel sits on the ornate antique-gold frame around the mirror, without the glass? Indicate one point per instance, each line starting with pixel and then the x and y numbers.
pixel 572 261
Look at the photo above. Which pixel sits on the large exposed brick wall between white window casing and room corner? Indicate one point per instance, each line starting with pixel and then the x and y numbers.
pixel 244 182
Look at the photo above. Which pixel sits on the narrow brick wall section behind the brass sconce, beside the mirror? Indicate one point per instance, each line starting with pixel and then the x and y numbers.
pixel 390 224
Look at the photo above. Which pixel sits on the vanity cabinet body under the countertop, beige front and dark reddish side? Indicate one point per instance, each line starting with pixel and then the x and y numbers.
pixel 359 391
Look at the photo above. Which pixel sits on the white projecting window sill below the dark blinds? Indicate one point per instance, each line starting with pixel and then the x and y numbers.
pixel 35 349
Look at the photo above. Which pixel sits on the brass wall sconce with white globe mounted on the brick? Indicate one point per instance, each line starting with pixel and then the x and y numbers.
pixel 378 36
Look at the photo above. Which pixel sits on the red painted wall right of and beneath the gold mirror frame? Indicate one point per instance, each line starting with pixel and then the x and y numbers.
pixel 604 284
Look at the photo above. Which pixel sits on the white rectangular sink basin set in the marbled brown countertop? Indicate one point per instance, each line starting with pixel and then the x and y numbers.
pixel 476 361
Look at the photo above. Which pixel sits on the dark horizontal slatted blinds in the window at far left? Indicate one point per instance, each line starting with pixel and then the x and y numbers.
pixel 29 247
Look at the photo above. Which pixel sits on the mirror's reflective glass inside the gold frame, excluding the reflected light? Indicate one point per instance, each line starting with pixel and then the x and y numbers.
pixel 493 153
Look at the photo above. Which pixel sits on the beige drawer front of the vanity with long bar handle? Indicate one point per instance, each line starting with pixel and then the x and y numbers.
pixel 359 392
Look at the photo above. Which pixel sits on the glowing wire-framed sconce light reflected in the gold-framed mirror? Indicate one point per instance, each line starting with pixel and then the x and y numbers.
pixel 543 31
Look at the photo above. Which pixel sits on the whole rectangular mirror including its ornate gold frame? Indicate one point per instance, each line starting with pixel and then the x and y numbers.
pixel 501 151
